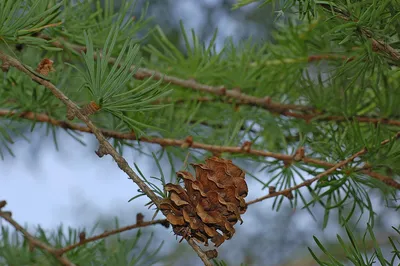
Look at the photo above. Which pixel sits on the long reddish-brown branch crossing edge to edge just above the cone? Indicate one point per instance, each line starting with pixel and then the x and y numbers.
pixel 164 142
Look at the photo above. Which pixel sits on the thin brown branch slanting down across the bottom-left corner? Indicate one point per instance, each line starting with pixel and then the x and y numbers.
pixel 33 242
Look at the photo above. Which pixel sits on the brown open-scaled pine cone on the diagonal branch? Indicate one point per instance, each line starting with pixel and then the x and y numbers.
pixel 212 201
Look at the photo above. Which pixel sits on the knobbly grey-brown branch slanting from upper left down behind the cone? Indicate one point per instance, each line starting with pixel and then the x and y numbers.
pixel 105 146
